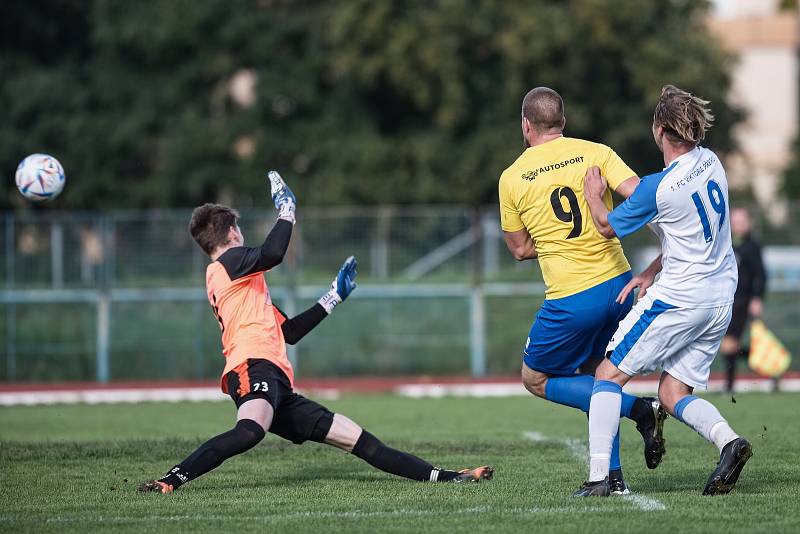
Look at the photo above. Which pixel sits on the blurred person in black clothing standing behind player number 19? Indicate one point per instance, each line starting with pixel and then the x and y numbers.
pixel 748 301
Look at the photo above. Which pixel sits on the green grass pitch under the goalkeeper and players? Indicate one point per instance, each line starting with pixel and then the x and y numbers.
pixel 76 469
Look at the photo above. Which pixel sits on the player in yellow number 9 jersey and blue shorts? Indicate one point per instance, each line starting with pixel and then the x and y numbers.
pixel 544 215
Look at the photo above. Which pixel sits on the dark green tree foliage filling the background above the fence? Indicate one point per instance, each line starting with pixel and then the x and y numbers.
pixel 358 102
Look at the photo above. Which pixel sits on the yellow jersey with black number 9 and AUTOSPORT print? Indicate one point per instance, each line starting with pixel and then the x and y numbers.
pixel 542 192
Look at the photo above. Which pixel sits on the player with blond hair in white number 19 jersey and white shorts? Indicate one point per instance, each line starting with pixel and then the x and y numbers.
pixel 679 320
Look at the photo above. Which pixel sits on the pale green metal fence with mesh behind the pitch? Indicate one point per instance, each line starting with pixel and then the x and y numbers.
pixel 120 296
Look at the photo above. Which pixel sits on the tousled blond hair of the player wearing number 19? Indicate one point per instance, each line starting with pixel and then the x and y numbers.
pixel 684 117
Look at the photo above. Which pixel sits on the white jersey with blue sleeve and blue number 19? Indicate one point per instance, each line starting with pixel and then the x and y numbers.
pixel 686 205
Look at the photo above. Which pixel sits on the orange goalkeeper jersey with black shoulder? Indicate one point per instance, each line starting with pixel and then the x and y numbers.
pixel 250 324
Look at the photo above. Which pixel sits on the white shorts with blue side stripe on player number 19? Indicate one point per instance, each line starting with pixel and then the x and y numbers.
pixel 682 341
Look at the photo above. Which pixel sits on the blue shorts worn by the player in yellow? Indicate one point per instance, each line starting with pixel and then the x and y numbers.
pixel 570 330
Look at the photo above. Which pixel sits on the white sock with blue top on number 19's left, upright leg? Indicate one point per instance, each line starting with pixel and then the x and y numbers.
pixel 603 425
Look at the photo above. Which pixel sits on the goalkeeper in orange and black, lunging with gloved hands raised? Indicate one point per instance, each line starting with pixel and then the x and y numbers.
pixel 258 375
